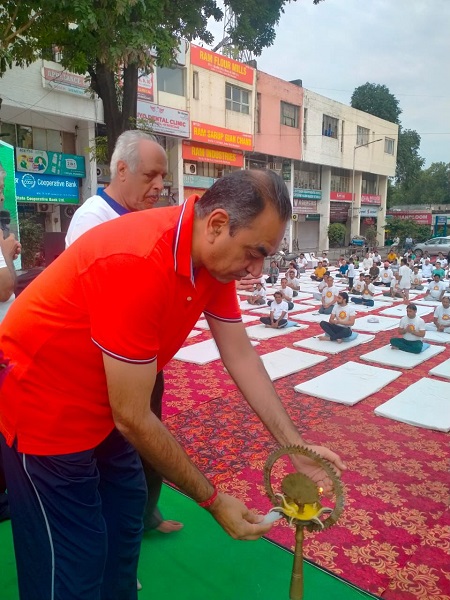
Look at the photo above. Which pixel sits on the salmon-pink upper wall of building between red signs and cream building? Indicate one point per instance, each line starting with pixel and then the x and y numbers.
pixel 275 138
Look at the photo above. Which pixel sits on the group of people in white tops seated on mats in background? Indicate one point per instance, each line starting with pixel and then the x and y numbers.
pixel 362 288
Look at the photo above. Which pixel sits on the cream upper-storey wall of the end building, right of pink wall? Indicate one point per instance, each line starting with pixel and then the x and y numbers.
pixel 325 150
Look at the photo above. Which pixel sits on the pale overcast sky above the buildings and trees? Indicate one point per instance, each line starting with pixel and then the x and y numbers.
pixel 339 45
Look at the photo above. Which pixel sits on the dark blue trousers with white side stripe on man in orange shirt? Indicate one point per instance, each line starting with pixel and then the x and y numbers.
pixel 77 521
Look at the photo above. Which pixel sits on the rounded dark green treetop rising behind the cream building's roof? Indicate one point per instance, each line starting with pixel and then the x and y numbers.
pixel 377 100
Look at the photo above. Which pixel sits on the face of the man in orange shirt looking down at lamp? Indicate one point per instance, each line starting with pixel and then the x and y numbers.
pixel 229 258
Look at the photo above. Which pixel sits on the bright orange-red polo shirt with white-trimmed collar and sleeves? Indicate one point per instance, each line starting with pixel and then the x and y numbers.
pixel 125 288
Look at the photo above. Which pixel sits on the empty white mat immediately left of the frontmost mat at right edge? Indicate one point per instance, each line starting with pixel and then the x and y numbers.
pixel 348 384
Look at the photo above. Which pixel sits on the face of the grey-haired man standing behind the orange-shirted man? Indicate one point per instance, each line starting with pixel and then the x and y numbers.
pixel 141 189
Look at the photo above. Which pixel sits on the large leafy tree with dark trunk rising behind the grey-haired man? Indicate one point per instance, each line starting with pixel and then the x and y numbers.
pixel 111 40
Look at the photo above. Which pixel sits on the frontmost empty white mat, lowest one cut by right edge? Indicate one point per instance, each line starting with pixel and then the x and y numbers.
pixel 425 403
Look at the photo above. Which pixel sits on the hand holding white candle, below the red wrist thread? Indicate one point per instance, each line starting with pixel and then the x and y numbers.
pixel 237 520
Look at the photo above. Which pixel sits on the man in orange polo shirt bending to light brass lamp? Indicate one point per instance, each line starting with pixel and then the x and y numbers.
pixel 74 410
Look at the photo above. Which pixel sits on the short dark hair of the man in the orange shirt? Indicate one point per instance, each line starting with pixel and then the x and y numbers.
pixel 244 195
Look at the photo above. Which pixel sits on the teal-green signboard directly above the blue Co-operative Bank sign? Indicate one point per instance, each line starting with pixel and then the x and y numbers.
pixel 50 163
